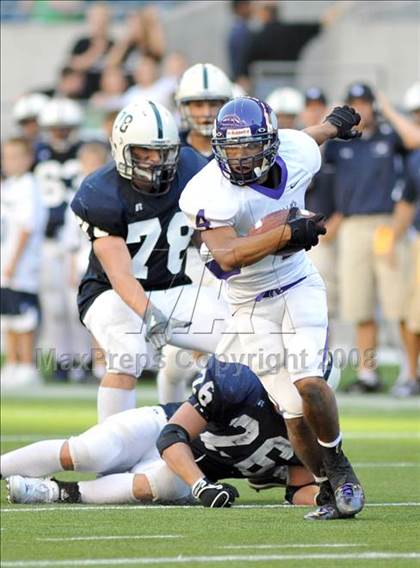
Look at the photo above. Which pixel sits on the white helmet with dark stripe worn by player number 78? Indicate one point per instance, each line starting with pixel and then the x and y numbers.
pixel 148 125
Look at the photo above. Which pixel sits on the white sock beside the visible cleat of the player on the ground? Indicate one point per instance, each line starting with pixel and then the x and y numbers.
pixel 116 488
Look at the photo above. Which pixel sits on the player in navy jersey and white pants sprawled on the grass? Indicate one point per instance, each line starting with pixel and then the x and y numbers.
pixel 239 434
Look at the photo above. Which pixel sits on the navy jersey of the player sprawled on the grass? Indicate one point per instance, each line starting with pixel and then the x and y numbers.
pixel 245 436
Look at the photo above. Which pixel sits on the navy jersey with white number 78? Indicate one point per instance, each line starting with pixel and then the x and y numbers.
pixel 154 228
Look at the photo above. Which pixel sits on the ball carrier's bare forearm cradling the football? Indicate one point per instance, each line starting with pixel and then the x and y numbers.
pixel 231 251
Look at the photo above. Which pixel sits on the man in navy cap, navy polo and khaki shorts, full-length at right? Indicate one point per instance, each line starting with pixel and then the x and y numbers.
pixel 368 175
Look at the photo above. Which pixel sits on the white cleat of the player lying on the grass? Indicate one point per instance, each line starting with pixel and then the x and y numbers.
pixel 31 490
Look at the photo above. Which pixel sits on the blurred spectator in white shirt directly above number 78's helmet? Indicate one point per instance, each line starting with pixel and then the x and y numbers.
pixel 150 86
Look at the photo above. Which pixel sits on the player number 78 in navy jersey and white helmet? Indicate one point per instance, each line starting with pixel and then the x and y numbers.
pixel 135 296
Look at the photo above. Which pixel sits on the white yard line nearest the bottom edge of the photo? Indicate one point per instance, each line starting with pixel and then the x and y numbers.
pixel 209 559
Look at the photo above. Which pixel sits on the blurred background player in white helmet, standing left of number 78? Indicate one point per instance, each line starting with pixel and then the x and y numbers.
pixel 57 169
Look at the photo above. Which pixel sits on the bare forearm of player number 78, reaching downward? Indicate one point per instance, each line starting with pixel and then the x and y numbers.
pixel 115 259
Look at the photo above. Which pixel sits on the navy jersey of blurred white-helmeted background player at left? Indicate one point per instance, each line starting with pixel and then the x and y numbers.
pixel 57 173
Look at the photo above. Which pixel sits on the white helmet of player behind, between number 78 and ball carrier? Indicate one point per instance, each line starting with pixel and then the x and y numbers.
pixel 202 82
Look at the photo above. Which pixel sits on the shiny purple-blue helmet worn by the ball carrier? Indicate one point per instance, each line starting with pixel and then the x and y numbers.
pixel 245 140
